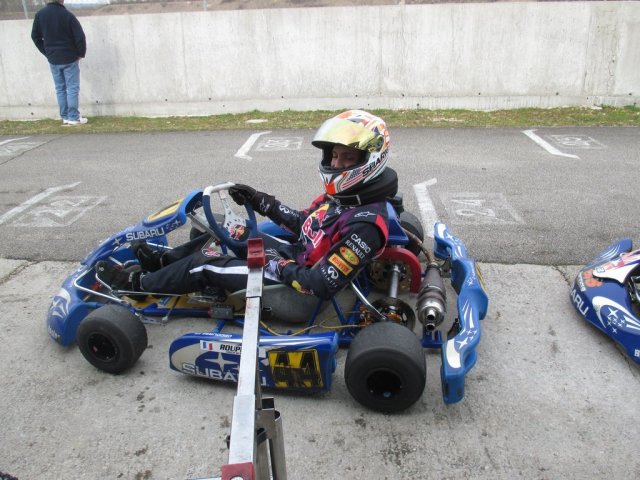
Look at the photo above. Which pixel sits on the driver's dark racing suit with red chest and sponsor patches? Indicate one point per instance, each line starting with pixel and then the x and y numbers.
pixel 334 244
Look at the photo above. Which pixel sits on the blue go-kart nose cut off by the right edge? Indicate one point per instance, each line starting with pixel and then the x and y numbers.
pixel 606 293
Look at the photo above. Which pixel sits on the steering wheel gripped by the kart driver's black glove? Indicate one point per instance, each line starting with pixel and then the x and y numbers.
pixel 221 229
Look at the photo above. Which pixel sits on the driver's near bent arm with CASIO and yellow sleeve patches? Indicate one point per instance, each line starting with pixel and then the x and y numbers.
pixel 355 247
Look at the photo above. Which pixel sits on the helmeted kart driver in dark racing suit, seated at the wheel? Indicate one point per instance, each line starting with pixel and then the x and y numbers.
pixel 340 233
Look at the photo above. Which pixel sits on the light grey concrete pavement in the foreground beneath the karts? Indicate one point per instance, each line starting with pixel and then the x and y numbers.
pixel 550 398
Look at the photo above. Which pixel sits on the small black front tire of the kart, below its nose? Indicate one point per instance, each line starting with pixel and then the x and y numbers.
pixel 112 338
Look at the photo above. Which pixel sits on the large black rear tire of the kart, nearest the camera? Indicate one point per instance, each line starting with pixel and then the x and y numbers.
pixel 386 367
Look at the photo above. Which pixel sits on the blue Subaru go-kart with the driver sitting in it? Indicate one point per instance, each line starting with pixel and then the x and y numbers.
pixel 385 368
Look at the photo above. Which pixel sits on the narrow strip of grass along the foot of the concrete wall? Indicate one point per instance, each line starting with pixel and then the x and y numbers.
pixel 526 117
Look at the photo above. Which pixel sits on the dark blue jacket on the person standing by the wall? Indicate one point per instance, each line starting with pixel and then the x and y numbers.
pixel 58 34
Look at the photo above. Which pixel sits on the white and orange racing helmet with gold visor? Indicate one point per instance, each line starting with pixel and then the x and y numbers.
pixel 357 129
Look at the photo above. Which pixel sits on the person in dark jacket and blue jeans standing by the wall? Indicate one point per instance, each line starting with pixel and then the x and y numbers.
pixel 59 36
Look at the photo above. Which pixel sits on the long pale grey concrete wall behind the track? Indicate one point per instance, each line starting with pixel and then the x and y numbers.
pixel 472 55
